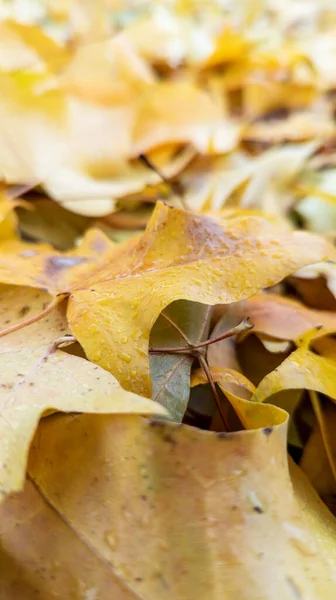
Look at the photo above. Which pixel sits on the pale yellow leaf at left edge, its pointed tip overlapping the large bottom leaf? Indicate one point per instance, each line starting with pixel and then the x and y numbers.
pixel 35 377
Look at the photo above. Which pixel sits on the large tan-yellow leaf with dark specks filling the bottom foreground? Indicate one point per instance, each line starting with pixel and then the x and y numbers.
pixel 68 454
